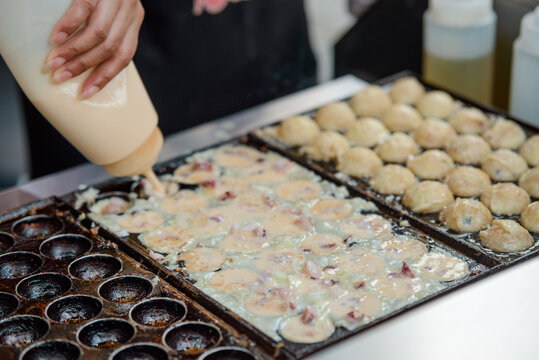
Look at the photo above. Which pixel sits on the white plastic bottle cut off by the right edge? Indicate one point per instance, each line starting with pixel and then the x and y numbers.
pixel 524 94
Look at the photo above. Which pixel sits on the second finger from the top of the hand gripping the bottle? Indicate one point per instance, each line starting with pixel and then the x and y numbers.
pixel 96 31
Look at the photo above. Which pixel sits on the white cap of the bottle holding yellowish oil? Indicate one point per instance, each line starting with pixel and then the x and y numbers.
pixel 460 12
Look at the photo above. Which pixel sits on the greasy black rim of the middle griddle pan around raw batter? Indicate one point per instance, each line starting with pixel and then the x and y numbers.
pixel 479 264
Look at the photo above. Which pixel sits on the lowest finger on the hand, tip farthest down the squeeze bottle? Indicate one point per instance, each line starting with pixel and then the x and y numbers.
pixel 107 70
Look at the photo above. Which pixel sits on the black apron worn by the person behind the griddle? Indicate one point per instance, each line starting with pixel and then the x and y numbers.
pixel 199 68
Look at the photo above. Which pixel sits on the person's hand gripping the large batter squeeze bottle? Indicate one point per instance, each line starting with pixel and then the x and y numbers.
pixel 108 41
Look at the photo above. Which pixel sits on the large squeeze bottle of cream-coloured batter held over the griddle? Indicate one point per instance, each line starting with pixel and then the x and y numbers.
pixel 116 128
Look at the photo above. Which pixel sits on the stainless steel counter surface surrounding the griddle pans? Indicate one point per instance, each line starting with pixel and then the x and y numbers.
pixel 494 318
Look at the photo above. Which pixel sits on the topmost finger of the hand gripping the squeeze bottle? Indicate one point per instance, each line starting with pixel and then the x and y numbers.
pixel 75 16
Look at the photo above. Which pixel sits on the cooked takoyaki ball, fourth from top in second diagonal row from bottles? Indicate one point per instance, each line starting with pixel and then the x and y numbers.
pixel 468 149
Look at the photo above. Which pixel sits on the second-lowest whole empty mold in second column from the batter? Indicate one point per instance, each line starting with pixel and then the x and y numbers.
pixel 74 309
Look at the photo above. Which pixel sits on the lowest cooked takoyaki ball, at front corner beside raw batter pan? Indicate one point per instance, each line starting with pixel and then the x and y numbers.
pixel 506 236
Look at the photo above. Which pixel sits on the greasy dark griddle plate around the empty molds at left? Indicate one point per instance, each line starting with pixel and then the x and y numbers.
pixel 100 245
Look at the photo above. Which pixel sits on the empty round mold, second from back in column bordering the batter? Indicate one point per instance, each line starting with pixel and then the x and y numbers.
pixel 65 246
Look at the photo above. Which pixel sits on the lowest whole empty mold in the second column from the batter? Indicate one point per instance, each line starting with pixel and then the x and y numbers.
pixel 106 333
